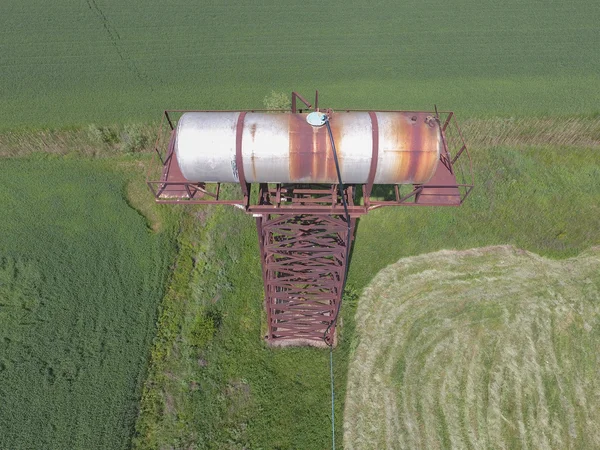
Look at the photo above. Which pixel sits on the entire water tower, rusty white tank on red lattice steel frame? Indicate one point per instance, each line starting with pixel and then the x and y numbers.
pixel 306 176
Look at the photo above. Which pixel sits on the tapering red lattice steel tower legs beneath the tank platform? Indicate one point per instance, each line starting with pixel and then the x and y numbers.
pixel 304 261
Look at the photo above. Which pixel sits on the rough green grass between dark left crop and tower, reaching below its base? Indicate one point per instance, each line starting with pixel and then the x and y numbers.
pixel 213 383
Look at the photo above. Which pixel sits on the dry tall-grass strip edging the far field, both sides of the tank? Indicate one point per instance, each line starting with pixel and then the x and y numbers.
pixel 482 133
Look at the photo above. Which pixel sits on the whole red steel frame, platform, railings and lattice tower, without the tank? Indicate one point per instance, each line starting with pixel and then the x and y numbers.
pixel 302 231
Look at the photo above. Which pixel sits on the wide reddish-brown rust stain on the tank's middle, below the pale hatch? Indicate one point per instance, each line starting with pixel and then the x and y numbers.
pixel 311 157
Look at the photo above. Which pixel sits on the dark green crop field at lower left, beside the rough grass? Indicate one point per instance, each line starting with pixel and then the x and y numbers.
pixel 81 276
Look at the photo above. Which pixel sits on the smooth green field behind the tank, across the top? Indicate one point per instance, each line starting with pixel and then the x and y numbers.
pixel 105 61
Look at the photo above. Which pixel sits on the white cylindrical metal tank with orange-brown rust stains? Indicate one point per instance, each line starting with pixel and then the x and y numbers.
pixel 284 148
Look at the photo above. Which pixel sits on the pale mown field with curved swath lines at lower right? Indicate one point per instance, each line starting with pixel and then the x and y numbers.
pixel 485 348
